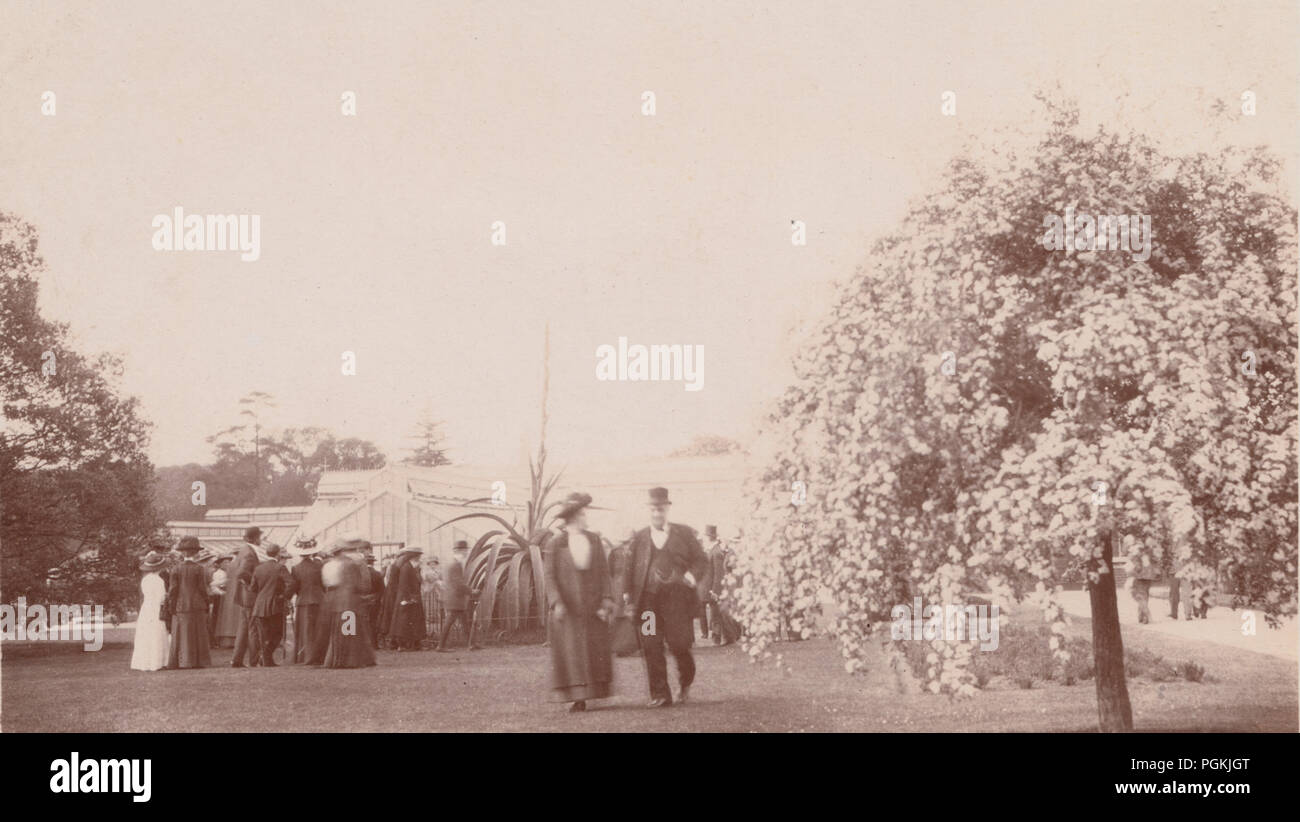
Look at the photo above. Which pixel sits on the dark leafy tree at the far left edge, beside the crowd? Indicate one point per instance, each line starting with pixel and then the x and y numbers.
pixel 75 478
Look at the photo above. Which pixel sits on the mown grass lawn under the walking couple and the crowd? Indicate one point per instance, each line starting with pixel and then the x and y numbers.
pixel 505 689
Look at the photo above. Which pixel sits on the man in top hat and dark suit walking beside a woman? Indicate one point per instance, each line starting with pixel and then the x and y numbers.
pixel 660 586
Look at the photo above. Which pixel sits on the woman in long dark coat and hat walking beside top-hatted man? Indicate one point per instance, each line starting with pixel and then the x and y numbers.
pixel 580 599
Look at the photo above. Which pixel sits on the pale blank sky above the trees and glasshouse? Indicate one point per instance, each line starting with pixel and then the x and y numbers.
pixel 666 230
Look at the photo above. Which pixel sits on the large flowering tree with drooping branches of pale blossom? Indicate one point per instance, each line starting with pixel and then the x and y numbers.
pixel 989 413
